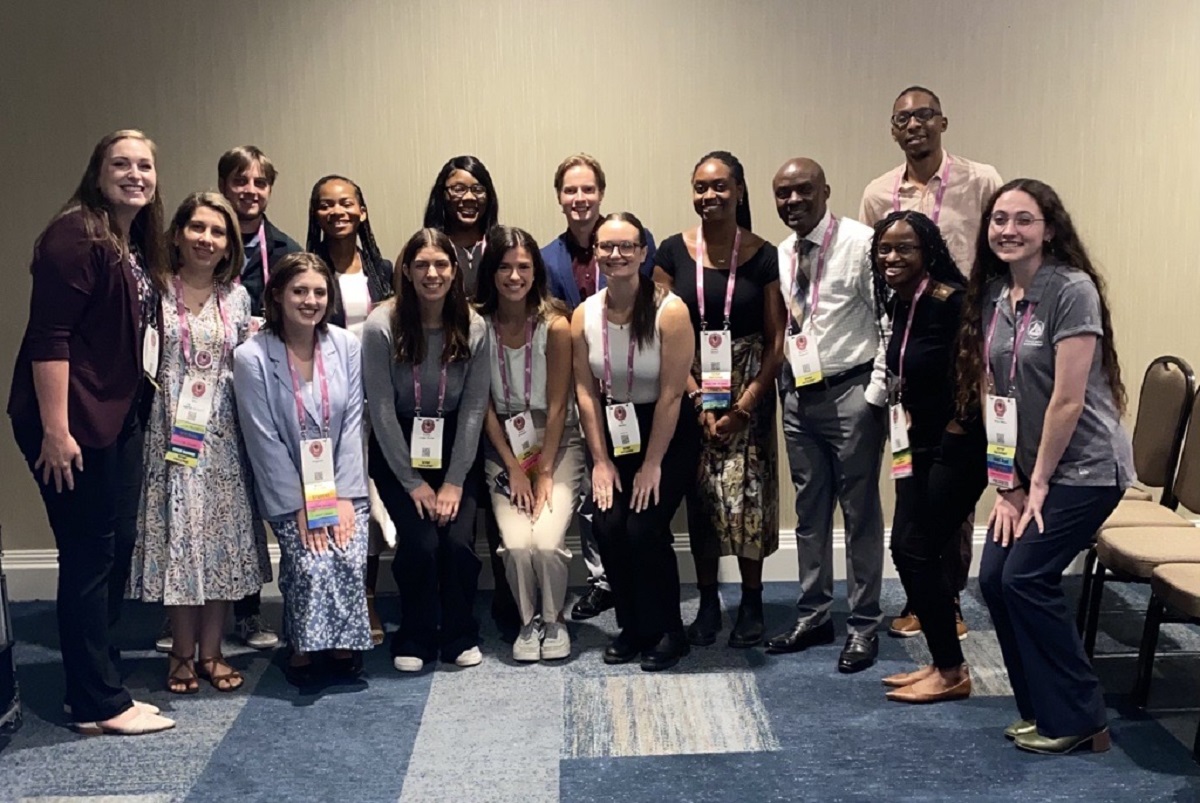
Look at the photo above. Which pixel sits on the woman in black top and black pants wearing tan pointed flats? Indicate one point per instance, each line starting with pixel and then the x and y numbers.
pixel 938 462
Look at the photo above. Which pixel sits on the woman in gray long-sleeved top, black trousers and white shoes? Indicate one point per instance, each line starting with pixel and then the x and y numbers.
pixel 425 357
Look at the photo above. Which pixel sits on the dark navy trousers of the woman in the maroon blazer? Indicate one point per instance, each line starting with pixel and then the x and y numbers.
pixel 85 523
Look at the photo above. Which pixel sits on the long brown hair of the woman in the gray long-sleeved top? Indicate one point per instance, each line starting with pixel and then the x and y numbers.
pixel 406 314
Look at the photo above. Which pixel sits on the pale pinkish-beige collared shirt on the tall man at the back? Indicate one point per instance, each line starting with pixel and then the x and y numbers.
pixel 969 185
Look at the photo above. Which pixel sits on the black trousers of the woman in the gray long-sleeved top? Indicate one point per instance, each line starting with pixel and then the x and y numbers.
pixel 436 568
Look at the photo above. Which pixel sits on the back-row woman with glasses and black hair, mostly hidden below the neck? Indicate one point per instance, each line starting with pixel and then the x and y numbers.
pixel 463 205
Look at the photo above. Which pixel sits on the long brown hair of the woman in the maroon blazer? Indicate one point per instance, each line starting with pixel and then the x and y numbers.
pixel 147 235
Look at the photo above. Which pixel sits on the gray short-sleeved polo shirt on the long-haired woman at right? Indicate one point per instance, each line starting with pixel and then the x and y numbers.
pixel 1066 303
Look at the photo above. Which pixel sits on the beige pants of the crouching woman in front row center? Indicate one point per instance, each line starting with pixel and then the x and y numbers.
pixel 536 555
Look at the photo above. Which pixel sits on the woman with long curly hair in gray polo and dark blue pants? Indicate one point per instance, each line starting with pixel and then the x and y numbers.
pixel 1037 346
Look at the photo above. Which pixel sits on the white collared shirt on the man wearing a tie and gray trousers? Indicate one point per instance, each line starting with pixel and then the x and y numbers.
pixel 845 323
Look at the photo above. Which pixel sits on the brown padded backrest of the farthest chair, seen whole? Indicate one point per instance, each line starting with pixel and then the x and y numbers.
pixel 1163 410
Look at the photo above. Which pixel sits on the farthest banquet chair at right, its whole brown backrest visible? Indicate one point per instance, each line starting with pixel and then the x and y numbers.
pixel 1167 399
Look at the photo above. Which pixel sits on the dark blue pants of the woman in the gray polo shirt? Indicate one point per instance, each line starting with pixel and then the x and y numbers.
pixel 1052 678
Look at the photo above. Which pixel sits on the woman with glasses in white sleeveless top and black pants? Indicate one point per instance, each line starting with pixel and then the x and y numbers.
pixel 633 349
